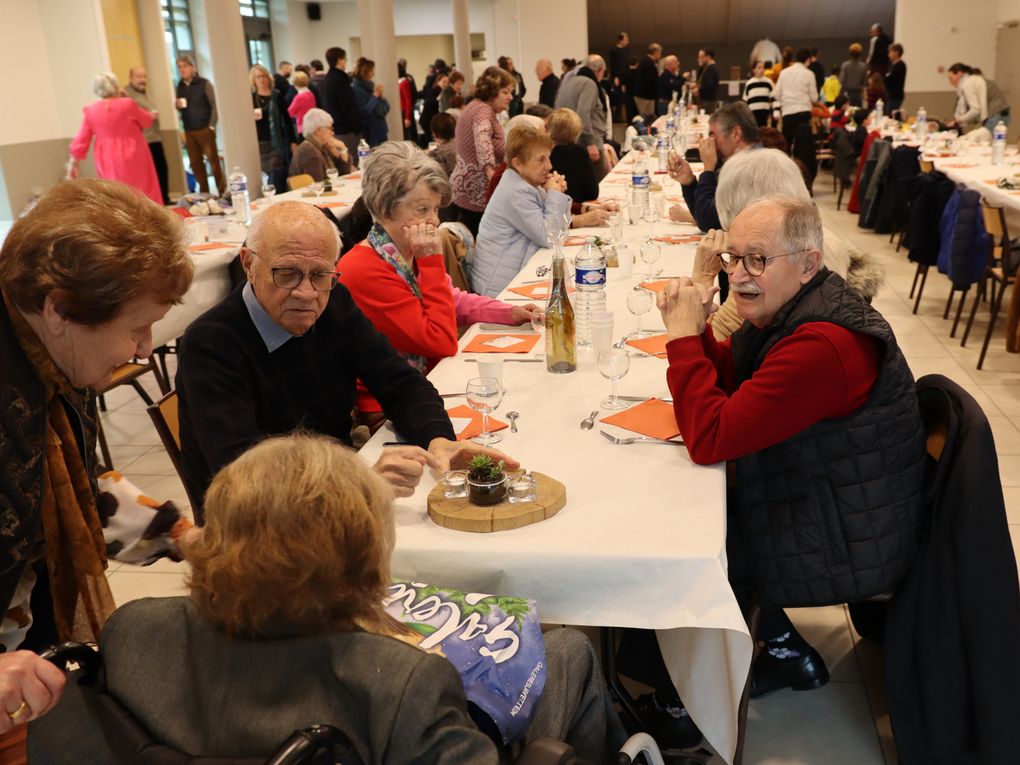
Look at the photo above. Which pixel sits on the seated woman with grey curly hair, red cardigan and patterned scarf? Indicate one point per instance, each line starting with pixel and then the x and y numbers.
pixel 397 276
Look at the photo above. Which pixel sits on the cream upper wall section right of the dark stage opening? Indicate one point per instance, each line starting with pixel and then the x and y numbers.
pixel 937 33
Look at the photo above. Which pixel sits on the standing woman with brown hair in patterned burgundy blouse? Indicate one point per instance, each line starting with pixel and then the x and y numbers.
pixel 481 144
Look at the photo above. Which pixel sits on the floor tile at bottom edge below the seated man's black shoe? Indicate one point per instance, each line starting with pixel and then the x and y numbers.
pixel 830 727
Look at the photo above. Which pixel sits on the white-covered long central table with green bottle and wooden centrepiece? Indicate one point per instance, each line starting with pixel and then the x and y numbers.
pixel 641 542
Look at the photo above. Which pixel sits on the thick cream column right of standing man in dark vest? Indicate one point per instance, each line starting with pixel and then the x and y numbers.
pixel 223 45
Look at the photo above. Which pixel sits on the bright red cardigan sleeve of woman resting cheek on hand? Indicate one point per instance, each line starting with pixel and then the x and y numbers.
pixel 427 328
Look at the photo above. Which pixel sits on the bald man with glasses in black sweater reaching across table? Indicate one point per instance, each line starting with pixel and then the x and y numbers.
pixel 285 351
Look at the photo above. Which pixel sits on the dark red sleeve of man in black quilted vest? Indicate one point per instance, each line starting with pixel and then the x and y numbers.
pixel 822 371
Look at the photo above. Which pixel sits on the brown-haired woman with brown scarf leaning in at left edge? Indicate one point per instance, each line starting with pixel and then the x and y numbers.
pixel 83 279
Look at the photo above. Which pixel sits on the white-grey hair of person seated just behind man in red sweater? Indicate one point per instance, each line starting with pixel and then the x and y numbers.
pixel 753 174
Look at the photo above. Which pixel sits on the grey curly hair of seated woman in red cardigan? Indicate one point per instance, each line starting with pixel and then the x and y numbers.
pixel 394 171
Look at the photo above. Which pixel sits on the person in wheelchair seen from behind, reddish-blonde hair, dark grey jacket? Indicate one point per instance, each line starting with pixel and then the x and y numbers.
pixel 285 628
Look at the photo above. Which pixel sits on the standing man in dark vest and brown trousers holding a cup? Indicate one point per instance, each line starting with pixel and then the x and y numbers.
pixel 197 105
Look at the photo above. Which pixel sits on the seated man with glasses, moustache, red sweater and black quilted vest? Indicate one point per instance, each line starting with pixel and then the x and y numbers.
pixel 812 404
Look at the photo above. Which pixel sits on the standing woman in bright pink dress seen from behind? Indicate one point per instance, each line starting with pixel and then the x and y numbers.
pixel 122 152
